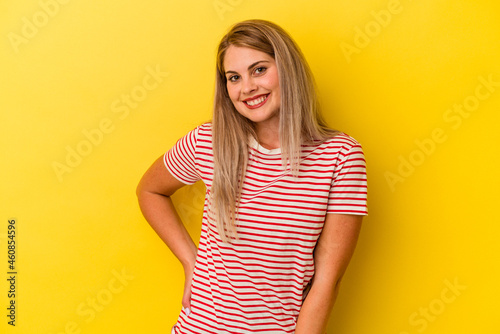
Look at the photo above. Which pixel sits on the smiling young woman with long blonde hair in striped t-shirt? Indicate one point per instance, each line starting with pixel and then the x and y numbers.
pixel 285 195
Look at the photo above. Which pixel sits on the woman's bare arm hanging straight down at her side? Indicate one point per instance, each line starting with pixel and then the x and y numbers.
pixel 331 257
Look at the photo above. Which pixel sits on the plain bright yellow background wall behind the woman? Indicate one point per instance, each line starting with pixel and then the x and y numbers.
pixel 430 225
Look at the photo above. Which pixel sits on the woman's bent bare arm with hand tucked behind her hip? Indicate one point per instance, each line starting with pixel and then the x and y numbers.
pixel 153 192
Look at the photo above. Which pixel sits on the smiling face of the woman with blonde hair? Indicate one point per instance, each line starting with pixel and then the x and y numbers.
pixel 253 85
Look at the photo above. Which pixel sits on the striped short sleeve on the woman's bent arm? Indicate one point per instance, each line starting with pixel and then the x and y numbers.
pixel 180 160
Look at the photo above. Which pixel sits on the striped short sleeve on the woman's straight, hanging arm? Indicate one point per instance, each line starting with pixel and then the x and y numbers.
pixel 348 193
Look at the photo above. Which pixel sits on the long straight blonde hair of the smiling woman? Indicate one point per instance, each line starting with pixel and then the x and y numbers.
pixel 300 121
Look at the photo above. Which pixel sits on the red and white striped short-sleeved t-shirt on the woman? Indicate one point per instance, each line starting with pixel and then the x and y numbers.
pixel 256 283
